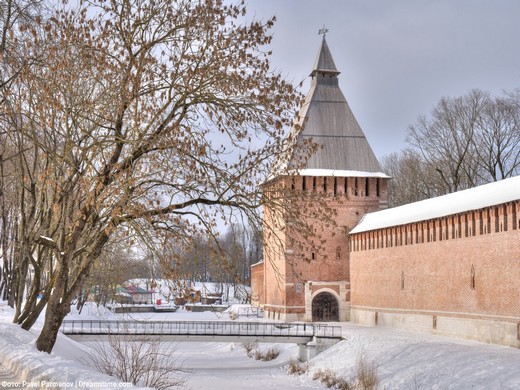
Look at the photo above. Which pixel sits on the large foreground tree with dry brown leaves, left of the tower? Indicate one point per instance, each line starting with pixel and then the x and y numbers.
pixel 140 116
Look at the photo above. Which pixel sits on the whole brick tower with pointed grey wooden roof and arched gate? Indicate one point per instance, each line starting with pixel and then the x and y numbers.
pixel 344 174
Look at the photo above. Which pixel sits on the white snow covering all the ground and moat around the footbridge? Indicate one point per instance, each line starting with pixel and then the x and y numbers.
pixel 405 360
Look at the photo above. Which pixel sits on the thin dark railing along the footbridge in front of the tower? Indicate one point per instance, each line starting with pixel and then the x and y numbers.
pixel 207 328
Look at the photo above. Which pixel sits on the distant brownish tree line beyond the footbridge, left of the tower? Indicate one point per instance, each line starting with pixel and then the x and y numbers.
pixel 224 259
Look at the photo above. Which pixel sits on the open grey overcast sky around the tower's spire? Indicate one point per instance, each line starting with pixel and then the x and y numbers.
pixel 397 58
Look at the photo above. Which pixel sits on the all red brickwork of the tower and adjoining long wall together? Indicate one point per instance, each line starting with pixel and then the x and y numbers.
pixel 458 275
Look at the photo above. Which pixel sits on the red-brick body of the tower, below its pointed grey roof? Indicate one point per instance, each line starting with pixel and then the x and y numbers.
pixel 291 276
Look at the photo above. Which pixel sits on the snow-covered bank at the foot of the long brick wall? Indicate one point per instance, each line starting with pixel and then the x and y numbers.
pixel 413 360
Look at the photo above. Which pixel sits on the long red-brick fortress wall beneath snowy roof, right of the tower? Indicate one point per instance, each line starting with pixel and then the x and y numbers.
pixel 457 275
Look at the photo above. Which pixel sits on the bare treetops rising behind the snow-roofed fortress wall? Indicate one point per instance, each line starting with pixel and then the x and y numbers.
pixel 465 142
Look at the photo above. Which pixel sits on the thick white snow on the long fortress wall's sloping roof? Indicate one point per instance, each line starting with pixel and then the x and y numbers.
pixel 476 198
